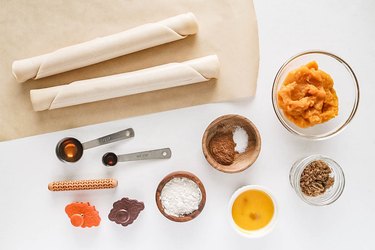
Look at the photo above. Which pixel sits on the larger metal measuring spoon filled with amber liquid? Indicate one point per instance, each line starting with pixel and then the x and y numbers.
pixel 70 149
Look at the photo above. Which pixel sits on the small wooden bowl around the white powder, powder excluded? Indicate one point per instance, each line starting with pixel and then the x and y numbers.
pixel 165 181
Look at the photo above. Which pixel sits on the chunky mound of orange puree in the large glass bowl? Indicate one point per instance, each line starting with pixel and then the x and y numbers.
pixel 307 96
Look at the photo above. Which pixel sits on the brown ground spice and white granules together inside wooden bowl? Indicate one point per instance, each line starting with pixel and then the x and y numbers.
pixel 224 146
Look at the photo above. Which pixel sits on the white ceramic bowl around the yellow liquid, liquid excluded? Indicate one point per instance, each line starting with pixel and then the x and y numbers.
pixel 253 233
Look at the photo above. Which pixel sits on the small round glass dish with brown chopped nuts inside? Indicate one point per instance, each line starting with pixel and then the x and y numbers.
pixel 317 180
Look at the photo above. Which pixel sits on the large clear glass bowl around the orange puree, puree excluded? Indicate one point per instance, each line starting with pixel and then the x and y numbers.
pixel 345 84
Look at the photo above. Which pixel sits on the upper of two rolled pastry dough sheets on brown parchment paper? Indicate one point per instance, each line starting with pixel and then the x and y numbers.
pixel 105 48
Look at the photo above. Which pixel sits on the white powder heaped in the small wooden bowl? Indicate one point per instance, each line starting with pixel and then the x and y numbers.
pixel 180 197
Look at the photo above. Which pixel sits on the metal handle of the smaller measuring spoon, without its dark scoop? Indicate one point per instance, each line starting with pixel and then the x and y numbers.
pixel 163 153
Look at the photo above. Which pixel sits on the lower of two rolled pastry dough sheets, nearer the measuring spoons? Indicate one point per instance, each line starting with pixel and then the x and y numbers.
pixel 150 79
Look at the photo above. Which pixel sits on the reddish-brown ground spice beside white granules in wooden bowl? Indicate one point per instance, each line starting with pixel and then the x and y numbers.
pixel 222 147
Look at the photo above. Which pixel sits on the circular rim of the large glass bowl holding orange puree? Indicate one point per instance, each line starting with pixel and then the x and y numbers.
pixel 278 112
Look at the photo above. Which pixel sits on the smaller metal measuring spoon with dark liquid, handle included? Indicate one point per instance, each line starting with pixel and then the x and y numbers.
pixel 110 159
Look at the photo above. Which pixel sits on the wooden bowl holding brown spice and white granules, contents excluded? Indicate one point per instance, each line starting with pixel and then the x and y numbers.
pixel 225 124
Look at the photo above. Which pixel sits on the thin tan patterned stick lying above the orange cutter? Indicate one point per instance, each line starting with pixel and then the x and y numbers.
pixel 72 185
